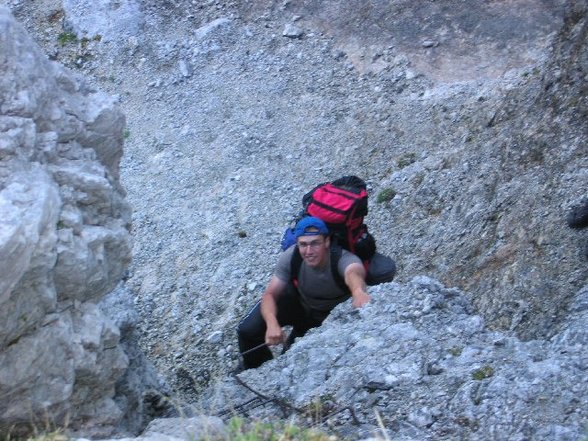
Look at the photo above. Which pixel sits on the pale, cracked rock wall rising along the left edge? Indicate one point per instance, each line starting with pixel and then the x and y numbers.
pixel 64 242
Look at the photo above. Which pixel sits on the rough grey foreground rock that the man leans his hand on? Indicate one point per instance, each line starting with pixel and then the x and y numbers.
pixel 420 358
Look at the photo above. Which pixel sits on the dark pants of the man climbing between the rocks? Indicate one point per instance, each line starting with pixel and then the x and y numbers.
pixel 291 312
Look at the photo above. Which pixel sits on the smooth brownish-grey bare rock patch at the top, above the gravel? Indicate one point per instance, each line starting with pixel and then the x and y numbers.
pixel 446 41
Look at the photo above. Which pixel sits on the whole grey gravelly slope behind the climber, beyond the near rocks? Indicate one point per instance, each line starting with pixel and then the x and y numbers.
pixel 473 117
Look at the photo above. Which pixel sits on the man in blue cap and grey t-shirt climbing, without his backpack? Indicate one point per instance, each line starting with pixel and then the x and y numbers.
pixel 309 280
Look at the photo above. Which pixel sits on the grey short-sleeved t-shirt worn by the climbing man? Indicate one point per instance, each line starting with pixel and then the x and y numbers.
pixel 318 289
